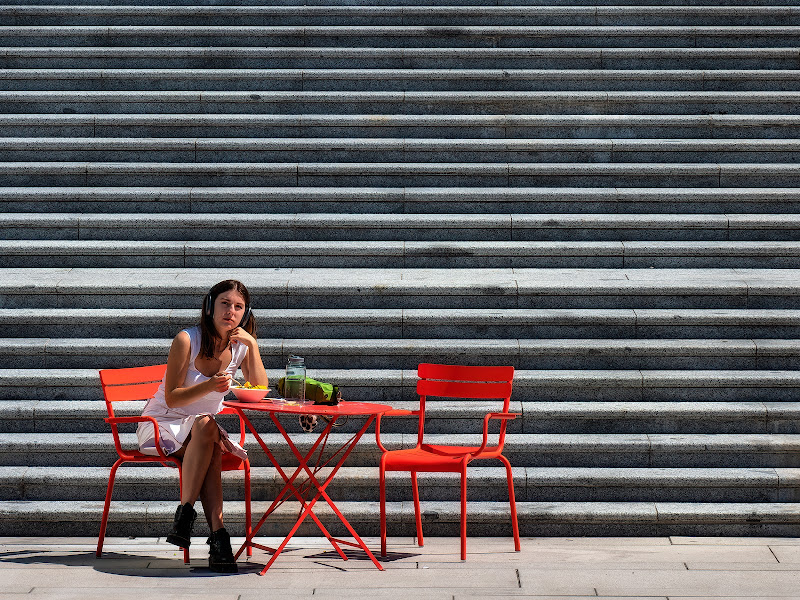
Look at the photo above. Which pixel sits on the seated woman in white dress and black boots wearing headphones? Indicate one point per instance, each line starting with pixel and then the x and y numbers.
pixel 202 361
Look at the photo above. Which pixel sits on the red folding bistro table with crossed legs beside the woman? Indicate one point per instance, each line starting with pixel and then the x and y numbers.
pixel 343 409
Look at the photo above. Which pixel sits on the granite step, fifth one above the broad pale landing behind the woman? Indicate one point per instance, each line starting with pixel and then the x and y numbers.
pixel 398 149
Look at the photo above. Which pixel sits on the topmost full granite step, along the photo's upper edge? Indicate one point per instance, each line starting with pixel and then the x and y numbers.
pixel 434 16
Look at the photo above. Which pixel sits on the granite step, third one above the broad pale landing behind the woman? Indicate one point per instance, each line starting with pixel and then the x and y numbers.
pixel 472 201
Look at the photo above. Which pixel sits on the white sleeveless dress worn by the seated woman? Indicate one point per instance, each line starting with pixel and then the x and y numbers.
pixel 175 424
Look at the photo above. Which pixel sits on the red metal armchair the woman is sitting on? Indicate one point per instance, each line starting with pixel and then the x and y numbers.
pixel 140 383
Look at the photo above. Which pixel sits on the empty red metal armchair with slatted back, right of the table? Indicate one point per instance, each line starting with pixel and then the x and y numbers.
pixel 451 381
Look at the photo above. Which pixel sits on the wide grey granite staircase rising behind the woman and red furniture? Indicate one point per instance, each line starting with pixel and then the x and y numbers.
pixel 605 195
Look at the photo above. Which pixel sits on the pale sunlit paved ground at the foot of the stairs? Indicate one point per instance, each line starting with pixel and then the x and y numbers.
pixel 563 568
